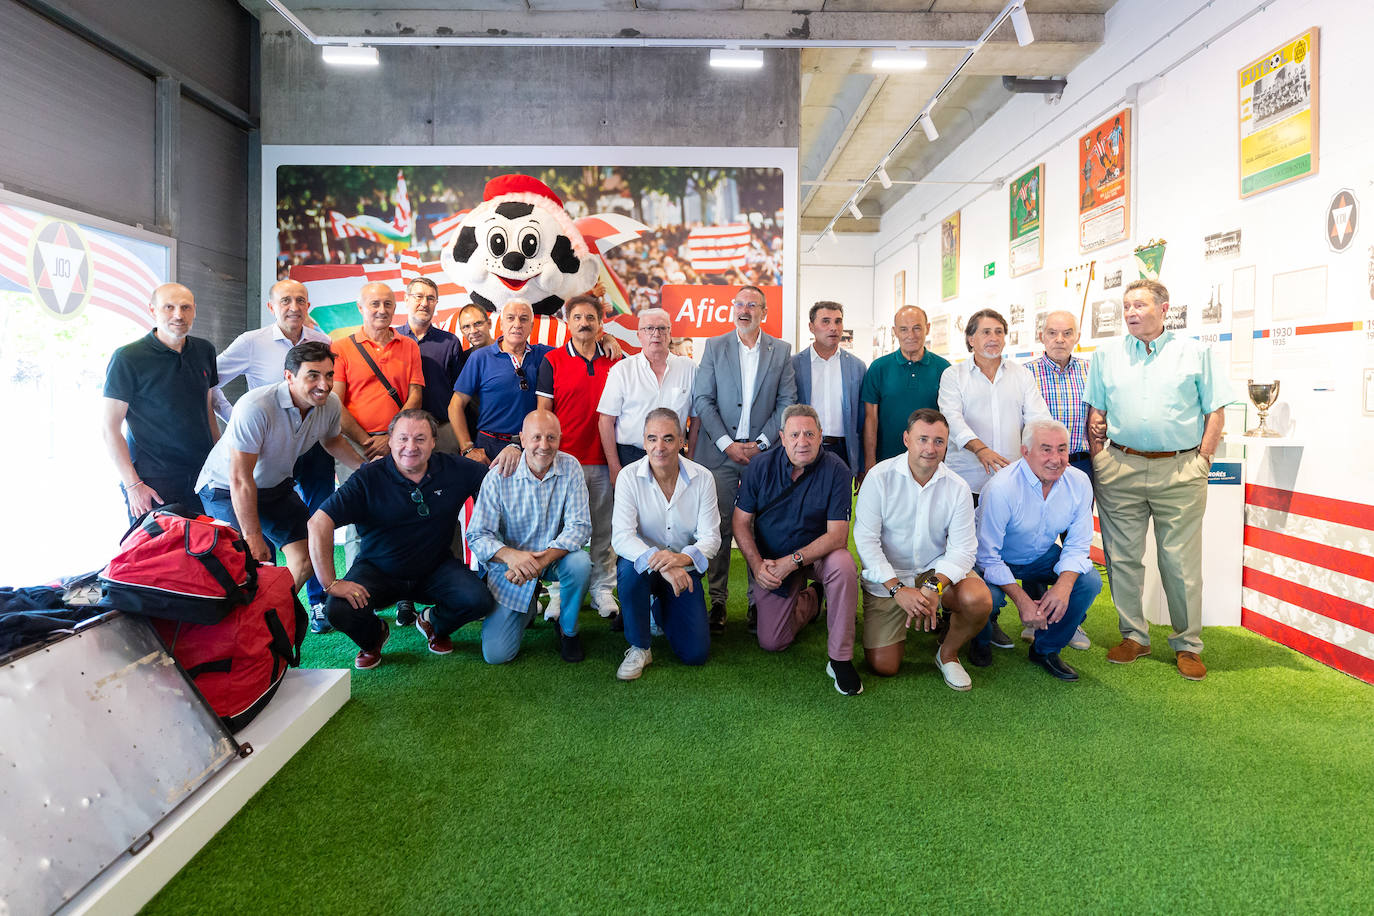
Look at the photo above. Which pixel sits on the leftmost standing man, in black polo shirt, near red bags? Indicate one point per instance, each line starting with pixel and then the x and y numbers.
pixel 160 387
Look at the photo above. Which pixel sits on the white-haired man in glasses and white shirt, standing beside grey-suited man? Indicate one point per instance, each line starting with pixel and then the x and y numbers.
pixel 637 385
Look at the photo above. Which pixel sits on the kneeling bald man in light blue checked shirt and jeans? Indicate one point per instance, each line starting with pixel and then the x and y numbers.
pixel 532 527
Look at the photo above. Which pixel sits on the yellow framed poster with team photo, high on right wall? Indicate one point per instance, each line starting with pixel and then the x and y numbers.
pixel 1279 116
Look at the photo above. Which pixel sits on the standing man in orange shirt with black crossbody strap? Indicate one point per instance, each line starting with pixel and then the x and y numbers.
pixel 377 376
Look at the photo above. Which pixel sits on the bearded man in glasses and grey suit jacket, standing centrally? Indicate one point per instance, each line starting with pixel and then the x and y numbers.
pixel 745 367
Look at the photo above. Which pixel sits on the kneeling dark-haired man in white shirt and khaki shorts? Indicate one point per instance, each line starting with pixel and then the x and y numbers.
pixel 916 539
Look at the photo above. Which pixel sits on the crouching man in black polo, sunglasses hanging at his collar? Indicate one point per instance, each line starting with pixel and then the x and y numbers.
pixel 405 506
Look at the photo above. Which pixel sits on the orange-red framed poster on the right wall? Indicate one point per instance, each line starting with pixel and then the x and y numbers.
pixel 1105 183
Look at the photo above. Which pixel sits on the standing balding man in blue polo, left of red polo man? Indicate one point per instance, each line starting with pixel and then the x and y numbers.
pixel 502 378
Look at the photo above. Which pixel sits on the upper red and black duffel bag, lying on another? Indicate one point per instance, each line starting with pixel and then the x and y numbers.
pixel 182 569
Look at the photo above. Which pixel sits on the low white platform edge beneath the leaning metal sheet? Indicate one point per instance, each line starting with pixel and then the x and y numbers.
pixel 306 701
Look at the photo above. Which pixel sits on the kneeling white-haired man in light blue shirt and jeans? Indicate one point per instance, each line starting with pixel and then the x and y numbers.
pixel 1024 510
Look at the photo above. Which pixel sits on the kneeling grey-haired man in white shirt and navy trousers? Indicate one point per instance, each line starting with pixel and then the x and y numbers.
pixel 666 531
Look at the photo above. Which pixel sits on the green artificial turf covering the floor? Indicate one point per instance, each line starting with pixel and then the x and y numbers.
pixel 752 786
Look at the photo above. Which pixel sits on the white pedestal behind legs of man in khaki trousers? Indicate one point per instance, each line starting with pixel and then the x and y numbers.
pixel 1224 531
